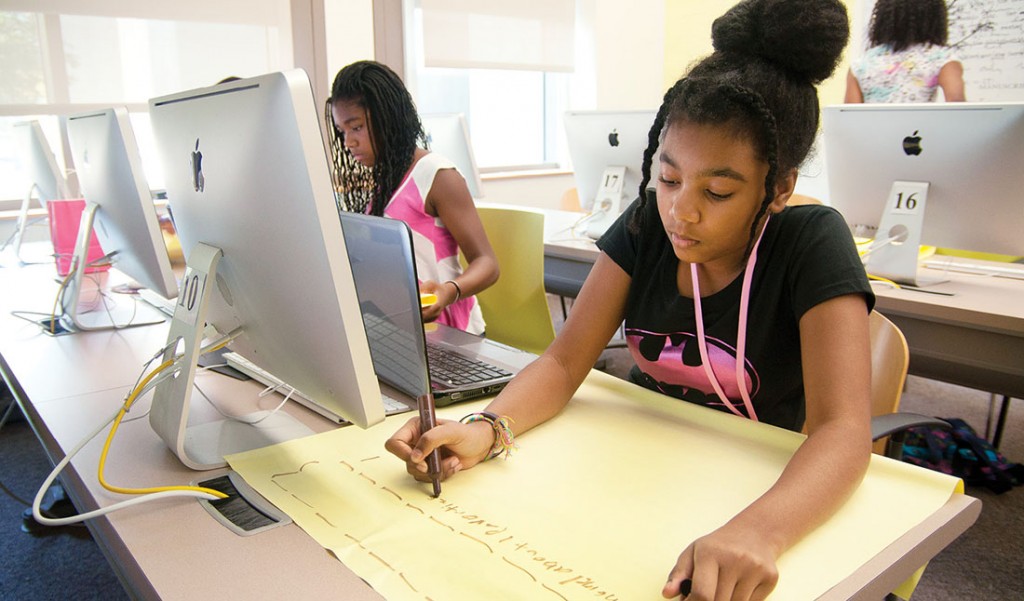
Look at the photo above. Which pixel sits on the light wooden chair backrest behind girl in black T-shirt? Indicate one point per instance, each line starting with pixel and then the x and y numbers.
pixel 890 358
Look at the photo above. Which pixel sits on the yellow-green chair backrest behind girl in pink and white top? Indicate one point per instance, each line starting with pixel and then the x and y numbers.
pixel 516 309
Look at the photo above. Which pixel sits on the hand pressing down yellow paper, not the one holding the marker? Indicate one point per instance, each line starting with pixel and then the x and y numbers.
pixel 732 564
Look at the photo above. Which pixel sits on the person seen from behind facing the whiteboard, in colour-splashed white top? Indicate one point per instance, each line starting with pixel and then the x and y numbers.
pixel 909 59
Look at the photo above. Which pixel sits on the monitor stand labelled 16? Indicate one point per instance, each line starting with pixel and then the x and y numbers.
pixel 894 252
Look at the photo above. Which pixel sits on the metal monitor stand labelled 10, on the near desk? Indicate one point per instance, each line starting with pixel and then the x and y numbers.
pixel 203 447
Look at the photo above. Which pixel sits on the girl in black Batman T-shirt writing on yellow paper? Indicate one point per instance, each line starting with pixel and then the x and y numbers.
pixel 732 299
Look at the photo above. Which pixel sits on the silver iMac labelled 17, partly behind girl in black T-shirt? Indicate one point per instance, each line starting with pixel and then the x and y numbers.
pixel 607 149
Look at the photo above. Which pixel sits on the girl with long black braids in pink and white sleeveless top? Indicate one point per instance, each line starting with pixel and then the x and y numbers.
pixel 377 126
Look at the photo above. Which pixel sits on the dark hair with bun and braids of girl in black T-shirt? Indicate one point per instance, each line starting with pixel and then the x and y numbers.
pixel 759 83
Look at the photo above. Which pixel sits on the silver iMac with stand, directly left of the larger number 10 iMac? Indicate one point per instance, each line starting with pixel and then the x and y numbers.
pixel 120 212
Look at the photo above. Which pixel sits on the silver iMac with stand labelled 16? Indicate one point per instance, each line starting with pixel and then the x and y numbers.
pixel 948 176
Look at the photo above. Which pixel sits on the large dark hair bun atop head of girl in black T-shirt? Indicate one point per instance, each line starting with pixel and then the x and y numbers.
pixel 804 37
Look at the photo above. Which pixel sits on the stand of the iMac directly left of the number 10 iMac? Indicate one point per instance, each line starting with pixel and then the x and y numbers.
pixel 110 315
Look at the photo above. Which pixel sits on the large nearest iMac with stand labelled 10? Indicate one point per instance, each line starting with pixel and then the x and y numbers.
pixel 248 182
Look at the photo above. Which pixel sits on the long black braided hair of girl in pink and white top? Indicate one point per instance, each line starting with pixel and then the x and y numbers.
pixel 396 132
